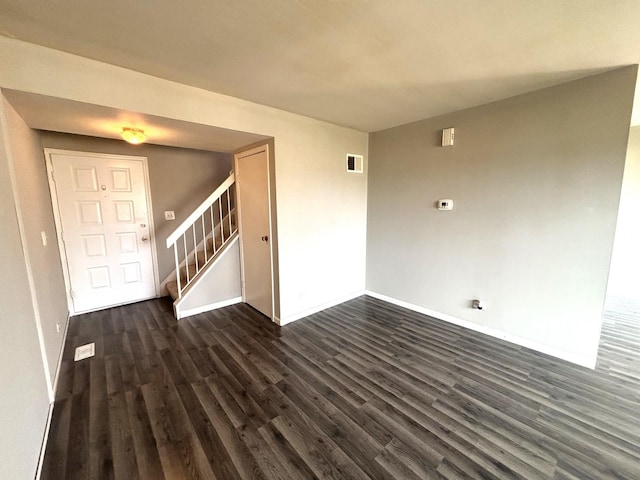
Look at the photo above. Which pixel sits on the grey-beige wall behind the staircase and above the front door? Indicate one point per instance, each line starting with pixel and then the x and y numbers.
pixel 180 179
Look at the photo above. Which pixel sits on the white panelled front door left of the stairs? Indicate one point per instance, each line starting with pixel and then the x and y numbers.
pixel 104 216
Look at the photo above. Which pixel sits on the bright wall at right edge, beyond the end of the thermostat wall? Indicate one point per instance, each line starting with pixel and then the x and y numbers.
pixel 624 280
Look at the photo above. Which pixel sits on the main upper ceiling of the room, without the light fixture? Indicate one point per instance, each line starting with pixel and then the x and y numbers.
pixel 365 64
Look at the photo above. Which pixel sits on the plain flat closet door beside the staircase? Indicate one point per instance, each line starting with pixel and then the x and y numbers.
pixel 252 174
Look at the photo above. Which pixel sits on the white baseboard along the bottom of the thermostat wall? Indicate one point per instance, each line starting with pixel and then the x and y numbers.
pixel 523 342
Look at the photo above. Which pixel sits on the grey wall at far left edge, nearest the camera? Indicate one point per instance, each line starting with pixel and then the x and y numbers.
pixel 24 398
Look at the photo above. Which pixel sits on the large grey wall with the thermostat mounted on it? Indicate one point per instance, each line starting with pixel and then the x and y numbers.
pixel 535 181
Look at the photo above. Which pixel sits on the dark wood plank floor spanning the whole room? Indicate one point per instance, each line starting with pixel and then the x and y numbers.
pixel 362 390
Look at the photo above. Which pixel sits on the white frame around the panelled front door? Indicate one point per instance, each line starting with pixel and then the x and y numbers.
pixel 58 221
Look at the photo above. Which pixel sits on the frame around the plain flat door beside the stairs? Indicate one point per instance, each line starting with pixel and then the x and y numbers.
pixel 237 156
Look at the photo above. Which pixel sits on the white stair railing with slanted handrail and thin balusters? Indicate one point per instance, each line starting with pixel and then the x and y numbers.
pixel 211 220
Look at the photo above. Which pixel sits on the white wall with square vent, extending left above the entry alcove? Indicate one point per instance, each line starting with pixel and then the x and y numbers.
pixel 321 208
